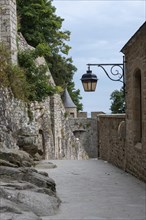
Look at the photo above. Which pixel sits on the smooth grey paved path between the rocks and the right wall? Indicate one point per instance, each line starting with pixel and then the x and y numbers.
pixel 96 190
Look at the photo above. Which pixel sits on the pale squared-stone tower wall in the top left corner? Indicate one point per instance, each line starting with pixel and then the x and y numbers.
pixel 8 26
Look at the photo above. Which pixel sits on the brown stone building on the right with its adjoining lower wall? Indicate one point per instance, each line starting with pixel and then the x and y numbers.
pixel 122 141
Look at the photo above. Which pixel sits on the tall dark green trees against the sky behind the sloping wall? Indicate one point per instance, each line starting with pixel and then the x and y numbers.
pixel 42 29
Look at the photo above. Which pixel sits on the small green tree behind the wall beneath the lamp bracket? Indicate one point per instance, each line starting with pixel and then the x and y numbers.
pixel 118 101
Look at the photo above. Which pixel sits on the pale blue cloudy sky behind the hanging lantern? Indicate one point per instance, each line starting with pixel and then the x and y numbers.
pixel 99 30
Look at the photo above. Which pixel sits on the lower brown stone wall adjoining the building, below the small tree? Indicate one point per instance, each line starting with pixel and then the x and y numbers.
pixel 112 139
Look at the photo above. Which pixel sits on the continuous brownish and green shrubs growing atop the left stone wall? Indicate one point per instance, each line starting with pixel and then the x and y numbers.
pixel 28 82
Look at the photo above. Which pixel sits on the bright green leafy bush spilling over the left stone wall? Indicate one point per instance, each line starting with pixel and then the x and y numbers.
pixel 36 77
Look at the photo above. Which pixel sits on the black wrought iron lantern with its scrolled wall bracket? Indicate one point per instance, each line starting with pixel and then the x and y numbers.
pixel 117 71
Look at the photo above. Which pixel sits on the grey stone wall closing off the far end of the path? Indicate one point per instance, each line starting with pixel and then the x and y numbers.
pixel 85 129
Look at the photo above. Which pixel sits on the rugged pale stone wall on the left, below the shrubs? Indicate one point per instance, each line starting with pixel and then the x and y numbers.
pixel 40 129
